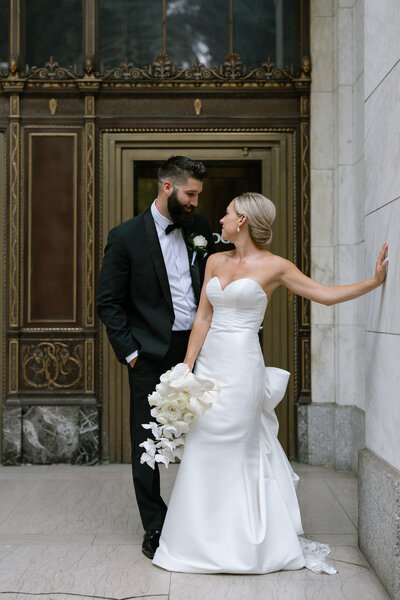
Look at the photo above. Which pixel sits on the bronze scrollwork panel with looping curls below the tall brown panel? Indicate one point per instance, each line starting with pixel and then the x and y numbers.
pixel 52 365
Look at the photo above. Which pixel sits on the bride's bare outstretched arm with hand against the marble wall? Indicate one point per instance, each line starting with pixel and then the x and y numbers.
pixel 300 284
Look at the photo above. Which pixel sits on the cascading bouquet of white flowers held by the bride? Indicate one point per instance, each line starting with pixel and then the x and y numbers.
pixel 178 399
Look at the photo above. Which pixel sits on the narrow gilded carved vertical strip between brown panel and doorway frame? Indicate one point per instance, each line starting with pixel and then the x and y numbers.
pixel 89 315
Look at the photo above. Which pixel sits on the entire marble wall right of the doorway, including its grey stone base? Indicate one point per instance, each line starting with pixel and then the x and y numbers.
pixel 355 184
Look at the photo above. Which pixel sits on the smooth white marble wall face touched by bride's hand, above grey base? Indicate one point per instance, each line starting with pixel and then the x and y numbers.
pixel 382 223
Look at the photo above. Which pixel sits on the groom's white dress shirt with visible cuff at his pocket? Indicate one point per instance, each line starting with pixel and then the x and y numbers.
pixel 174 251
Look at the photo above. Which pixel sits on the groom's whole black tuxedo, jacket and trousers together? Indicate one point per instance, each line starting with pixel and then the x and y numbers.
pixel 134 302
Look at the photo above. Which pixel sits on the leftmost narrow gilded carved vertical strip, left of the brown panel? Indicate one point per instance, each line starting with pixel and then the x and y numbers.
pixel 14 211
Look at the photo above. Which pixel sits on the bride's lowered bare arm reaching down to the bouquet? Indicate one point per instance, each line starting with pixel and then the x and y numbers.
pixel 202 321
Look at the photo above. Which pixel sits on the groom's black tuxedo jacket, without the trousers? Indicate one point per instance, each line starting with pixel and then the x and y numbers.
pixel 133 298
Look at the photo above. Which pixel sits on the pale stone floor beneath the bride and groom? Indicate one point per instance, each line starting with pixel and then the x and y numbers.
pixel 73 533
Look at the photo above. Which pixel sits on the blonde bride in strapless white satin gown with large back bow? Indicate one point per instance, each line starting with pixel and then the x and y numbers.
pixel 234 508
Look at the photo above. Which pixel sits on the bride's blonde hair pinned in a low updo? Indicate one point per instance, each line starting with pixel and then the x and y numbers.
pixel 260 213
